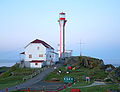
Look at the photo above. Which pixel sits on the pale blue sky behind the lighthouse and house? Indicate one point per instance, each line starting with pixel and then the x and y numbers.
pixel 95 22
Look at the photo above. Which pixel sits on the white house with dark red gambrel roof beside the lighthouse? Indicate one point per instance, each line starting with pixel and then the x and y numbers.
pixel 38 53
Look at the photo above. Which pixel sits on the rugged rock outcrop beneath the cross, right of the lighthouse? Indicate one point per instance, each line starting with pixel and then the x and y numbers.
pixel 84 61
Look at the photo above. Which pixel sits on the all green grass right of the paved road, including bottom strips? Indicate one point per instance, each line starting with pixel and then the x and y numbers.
pixel 94 73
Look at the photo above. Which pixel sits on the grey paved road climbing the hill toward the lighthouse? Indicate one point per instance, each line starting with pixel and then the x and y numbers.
pixel 34 81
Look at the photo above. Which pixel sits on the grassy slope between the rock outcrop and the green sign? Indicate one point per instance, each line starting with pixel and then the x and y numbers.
pixel 92 73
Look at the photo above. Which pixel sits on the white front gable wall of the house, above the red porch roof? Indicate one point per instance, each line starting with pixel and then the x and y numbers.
pixel 35 49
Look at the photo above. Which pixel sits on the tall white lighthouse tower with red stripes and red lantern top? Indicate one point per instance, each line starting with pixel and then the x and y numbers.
pixel 62 21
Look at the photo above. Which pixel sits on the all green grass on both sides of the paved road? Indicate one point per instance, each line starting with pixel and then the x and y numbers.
pixel 6 80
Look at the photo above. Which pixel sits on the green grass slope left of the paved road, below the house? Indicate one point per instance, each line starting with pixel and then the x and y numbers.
pixel 7 80
